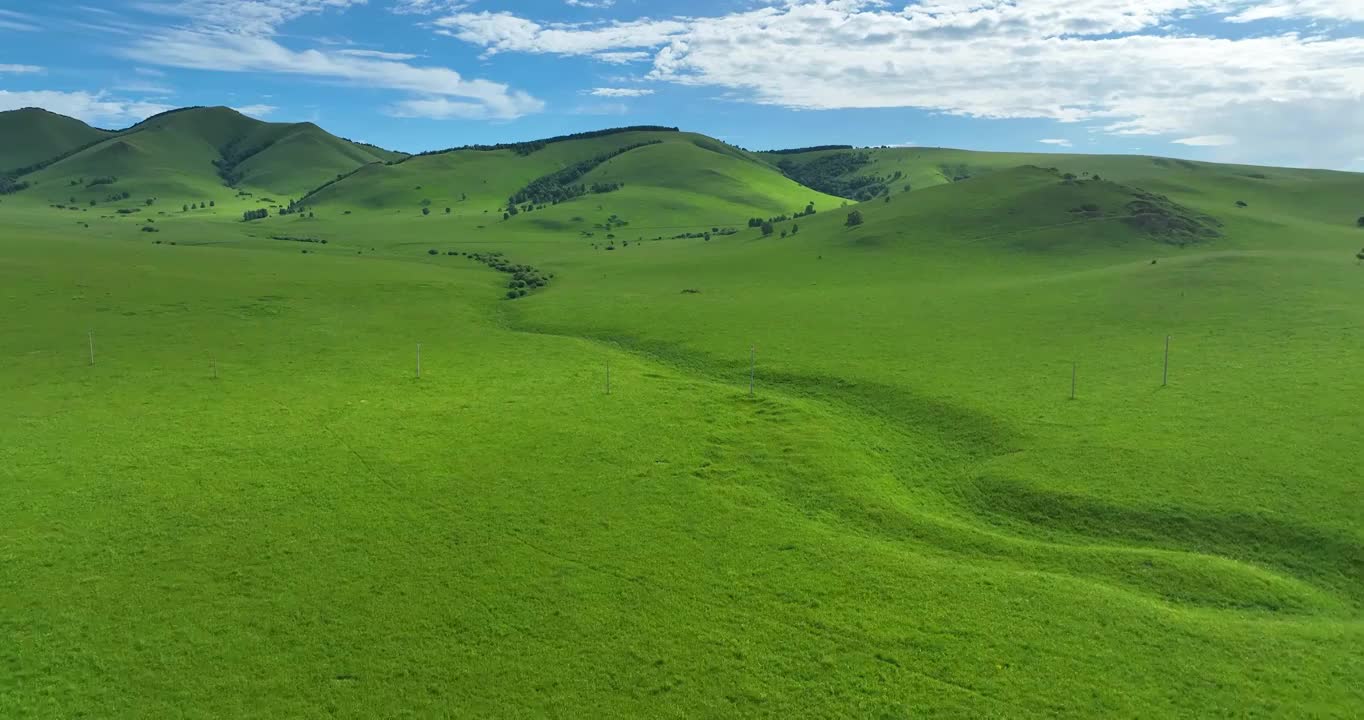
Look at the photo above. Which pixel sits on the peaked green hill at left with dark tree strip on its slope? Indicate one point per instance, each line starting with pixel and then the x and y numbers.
pixel 171 157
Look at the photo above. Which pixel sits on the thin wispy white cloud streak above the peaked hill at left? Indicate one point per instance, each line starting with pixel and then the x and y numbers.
pixel 239 37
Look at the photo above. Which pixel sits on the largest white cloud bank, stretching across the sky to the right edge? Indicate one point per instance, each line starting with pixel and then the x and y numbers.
pixel 1126 66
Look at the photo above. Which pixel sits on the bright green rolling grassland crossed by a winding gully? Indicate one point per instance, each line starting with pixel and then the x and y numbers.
pixel 252 507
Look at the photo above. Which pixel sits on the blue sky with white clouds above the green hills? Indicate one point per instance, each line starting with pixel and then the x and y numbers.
pixel 1247 81
